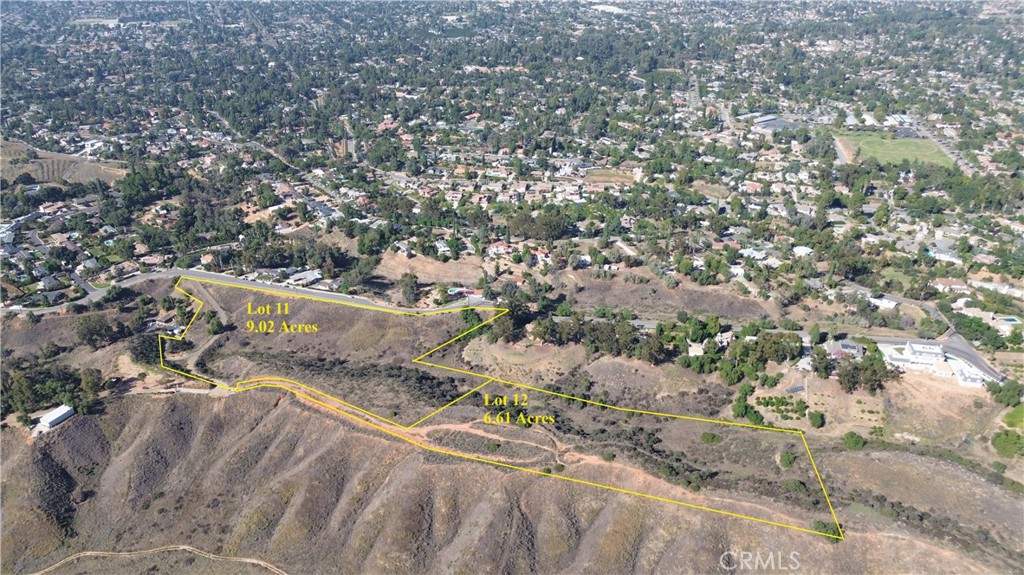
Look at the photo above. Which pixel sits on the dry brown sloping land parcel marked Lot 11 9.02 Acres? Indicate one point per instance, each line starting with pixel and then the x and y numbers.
pixel 359 357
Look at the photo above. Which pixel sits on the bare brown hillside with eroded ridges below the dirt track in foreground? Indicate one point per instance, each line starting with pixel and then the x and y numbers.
pixel 261 475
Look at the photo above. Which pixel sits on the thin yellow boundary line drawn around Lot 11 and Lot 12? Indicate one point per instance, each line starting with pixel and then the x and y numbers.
pixel 258 383
